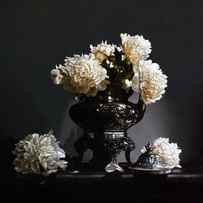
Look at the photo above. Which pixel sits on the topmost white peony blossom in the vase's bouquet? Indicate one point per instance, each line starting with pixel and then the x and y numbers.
pixel 136 48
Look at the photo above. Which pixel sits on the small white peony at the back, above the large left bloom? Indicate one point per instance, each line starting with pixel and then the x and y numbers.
pixel 102 50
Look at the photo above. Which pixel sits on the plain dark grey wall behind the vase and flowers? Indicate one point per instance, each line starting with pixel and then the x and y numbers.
pixel 36 35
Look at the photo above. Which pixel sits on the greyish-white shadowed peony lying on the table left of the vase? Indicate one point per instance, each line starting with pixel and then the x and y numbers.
pixel 39 154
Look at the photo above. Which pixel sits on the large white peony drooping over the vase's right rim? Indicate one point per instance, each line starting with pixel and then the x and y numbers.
pixel 152 82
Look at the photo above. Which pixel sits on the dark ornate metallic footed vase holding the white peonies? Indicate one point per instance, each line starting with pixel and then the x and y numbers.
pixel 105 120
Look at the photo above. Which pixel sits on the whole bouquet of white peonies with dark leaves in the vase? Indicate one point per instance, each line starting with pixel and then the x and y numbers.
pixel 107 65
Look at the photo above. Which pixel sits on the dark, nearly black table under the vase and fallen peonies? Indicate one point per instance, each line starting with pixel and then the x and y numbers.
pixel 178 186
